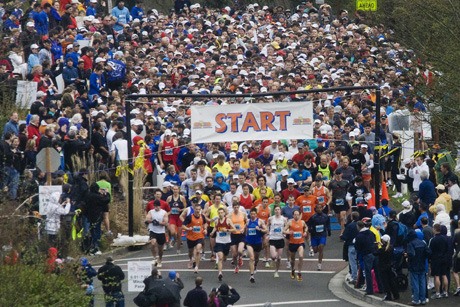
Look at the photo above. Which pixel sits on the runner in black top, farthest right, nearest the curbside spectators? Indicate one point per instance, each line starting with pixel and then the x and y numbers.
pixel 339 188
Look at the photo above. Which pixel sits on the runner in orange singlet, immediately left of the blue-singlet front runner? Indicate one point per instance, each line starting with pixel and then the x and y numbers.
pixel 239 220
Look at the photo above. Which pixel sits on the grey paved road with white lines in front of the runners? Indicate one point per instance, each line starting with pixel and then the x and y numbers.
pixel 283 291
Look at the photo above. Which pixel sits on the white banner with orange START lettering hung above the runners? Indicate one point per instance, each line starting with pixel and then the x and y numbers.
pixel 255 121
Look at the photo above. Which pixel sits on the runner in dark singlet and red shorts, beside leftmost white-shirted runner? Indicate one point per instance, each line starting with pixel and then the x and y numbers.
pixel 177 203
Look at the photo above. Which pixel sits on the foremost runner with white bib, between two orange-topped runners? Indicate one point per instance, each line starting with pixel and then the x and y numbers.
pixel 224 227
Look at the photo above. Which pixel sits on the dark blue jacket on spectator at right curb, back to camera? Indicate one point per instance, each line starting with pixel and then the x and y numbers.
pixel 417 253
